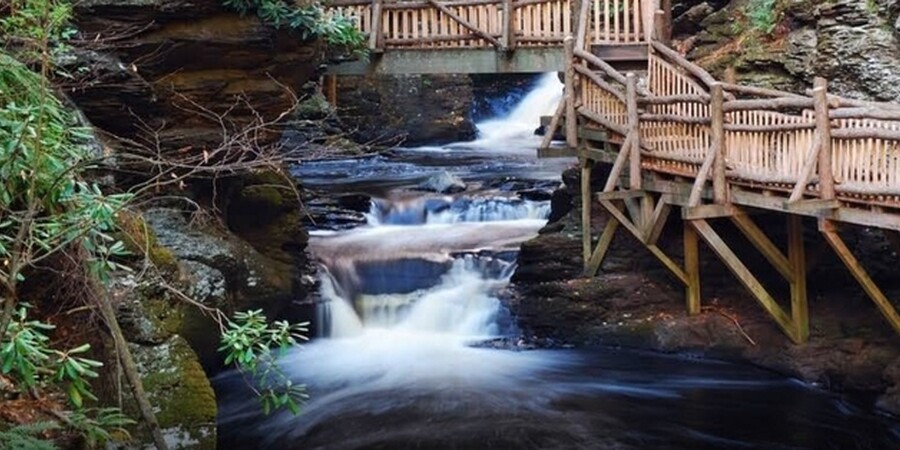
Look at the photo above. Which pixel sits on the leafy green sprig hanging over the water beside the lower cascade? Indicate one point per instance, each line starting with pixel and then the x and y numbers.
pixel 253 345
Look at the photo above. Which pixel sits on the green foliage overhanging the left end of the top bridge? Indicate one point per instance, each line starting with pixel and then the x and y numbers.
pixel 308 20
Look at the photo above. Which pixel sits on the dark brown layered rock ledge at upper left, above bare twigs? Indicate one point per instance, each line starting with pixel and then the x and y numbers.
pixel 154 64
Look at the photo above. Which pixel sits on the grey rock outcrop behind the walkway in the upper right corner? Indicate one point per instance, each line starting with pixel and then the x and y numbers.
pixel 855 44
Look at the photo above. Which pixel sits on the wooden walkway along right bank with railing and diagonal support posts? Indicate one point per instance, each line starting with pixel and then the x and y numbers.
pixel 679 138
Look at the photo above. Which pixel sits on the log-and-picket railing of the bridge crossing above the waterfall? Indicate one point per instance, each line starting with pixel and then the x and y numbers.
pixel 501 24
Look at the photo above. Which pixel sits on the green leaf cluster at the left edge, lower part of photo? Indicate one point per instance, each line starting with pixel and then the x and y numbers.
pixel 26 356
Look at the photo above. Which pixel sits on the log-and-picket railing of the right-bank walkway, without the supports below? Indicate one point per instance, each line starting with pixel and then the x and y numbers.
pixel 813 145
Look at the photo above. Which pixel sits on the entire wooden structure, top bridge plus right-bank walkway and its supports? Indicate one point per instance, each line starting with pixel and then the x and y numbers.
pixel 675 136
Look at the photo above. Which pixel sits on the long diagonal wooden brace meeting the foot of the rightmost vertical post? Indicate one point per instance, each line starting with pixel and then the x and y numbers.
pixel 743 274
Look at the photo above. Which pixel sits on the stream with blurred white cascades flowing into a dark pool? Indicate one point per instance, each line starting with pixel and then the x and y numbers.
pixel 411 297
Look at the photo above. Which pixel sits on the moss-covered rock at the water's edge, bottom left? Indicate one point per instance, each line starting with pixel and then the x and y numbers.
pixel 182 396
